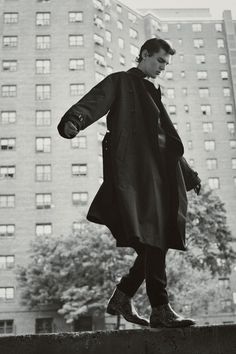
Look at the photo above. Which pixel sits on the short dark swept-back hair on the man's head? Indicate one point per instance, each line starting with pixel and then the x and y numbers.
pixel 154 45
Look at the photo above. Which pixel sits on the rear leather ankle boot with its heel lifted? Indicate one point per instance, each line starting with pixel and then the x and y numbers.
pixel 121 304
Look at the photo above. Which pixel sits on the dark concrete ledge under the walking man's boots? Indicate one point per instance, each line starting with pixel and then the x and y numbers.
pixel 190 340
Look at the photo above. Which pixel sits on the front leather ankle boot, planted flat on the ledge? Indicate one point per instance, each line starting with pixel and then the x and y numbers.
pixel 165 316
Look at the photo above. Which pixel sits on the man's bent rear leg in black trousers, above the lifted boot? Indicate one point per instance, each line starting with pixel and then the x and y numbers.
pixel 130 282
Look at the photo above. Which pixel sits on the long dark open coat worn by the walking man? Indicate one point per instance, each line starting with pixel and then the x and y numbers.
pixel 132 200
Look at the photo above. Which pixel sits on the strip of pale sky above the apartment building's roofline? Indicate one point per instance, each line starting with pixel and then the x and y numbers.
pixel 216 7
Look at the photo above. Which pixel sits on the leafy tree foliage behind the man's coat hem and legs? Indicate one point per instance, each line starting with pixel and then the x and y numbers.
pixel 81 270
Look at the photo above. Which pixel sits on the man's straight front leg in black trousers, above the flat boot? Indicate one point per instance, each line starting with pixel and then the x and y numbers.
pixel 155 273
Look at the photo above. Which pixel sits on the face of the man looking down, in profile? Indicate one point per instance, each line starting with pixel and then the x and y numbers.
pixel 156 63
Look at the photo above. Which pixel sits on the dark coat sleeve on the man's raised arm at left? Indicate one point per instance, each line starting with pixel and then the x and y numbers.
pixel 92 106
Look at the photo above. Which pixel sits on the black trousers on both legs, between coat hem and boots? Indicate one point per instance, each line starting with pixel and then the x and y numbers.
pixel 148 265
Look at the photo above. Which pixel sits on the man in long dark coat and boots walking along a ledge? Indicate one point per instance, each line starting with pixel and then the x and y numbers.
pixel 143 197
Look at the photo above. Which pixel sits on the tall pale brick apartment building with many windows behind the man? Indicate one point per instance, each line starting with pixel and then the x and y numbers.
pixel 50 57
